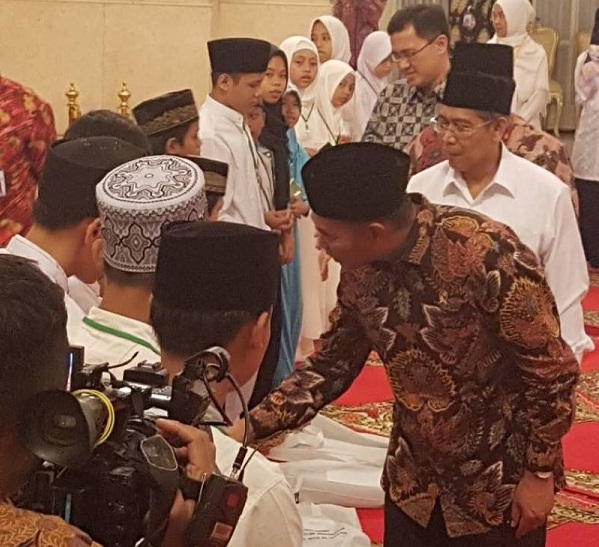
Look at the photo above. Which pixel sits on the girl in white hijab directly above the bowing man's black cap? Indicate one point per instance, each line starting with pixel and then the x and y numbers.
pixel 335 88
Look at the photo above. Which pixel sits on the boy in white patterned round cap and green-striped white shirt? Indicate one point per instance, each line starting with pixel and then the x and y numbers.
pixel 135 200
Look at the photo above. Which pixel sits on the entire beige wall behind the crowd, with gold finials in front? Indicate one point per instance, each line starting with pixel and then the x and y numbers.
pixel 154 45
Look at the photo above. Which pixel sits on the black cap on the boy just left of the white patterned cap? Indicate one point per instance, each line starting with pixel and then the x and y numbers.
pixel 73 168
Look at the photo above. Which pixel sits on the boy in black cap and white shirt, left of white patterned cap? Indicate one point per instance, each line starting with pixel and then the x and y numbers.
pixel 65 237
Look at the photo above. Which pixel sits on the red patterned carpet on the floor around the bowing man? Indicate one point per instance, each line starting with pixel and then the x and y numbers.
pixel 367 407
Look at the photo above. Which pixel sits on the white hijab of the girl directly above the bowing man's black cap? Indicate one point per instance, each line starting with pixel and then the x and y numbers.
pixel 328 121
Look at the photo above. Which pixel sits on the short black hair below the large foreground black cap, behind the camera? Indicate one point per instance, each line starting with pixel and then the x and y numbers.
pixel 185 333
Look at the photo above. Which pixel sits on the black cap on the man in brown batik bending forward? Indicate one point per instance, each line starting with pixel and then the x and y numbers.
pixel 356 182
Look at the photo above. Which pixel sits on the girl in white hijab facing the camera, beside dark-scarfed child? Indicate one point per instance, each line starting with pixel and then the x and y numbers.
pixel 302 57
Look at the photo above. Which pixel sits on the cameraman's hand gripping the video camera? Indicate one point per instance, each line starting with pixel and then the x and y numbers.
pixel 197 454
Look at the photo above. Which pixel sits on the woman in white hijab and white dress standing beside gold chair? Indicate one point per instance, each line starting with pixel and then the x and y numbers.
pixel 510 20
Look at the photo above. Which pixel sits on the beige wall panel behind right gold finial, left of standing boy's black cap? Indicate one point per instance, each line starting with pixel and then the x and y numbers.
pixel 155 49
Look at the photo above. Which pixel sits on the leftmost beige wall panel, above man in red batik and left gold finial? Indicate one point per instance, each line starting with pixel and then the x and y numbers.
pixel 50 43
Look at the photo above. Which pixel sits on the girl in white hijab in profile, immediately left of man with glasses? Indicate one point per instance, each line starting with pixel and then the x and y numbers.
pixel 374 67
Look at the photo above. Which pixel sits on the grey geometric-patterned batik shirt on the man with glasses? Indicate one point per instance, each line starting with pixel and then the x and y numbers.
pixel 400 113
